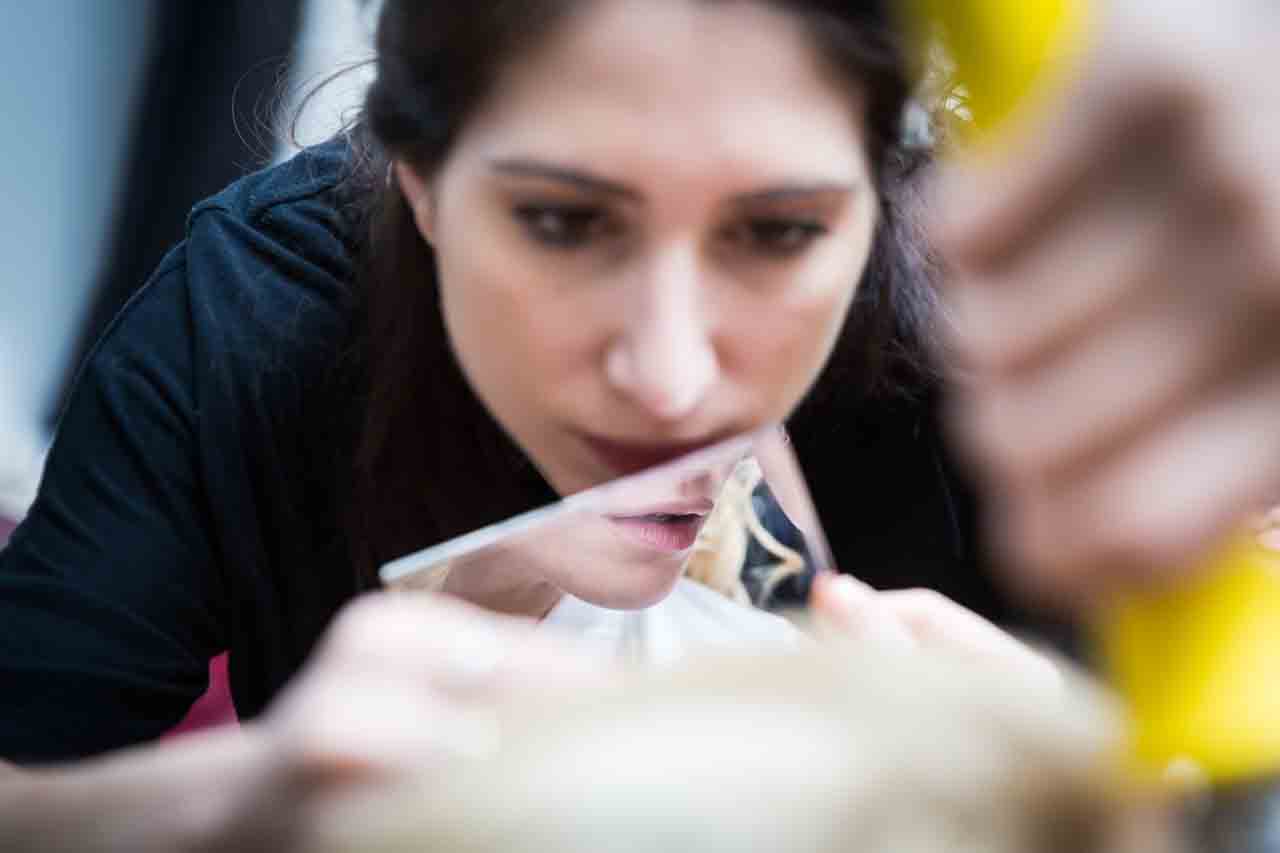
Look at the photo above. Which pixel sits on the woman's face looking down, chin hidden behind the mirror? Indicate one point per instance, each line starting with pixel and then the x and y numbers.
pixel 650 234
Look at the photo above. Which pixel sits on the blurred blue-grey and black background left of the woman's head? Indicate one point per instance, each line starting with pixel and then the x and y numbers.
pixel 121 117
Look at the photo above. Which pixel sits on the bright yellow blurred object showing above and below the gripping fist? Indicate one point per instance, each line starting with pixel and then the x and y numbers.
pixel 1200 667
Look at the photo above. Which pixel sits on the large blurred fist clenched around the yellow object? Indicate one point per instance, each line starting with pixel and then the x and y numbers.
pixel 1116 291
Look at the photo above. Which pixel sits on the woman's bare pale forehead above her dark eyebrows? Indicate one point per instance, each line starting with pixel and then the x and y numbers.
pixel 687 80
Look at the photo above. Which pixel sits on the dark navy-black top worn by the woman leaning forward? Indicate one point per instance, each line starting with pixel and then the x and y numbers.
pixel 189 504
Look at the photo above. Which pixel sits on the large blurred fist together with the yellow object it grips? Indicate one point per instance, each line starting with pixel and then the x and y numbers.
pixel 1118 294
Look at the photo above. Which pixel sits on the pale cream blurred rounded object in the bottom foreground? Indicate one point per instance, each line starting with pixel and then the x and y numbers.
pixel 833 750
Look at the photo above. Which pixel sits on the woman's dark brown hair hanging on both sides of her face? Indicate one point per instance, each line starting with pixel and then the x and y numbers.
pixel 431 462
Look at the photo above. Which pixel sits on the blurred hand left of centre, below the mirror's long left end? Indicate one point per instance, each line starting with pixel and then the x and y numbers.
pixel 401 685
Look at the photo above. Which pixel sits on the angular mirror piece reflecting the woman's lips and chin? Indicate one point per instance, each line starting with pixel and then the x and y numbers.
pixel 735 518
